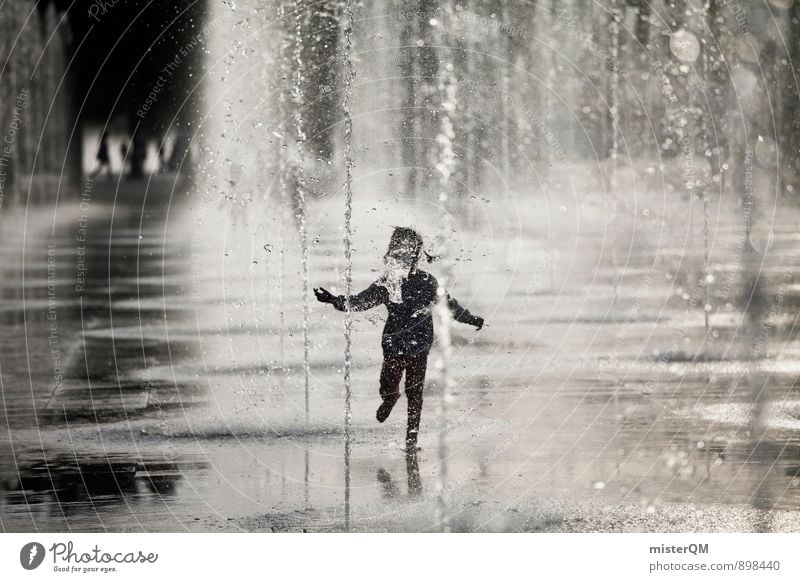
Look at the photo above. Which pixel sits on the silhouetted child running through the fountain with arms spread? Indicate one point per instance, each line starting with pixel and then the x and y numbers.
pixel 409 294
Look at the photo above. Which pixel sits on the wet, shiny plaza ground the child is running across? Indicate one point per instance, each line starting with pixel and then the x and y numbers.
pixel 166 394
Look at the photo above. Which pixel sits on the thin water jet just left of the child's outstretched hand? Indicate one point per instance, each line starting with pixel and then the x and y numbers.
pixel 299 102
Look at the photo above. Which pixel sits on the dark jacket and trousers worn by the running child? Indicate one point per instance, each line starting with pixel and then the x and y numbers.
pixel 407 337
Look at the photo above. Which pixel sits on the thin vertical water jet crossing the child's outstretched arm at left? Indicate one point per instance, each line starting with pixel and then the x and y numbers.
pixel 348 236
